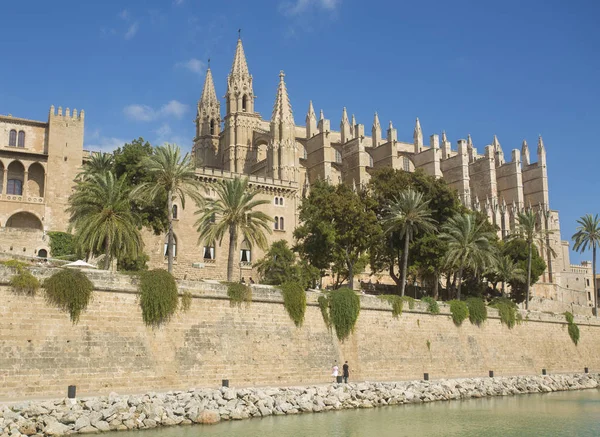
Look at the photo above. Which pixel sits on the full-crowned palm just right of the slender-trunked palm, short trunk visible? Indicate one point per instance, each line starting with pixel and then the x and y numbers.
pixel 468 245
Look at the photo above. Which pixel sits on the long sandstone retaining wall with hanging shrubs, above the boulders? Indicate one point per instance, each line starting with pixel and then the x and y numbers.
pixel 41 352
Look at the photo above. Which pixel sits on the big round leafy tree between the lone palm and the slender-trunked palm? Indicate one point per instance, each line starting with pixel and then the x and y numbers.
pixel 337 227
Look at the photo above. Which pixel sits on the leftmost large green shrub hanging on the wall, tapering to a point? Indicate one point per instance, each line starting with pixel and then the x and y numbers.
pixel 70 290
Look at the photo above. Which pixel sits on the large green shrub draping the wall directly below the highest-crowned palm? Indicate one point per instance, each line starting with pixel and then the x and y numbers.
pixel 158 296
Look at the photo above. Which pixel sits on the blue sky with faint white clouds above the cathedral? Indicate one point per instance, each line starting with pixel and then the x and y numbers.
pixel 512 68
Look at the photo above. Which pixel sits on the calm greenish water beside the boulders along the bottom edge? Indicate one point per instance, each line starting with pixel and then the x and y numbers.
pixel 573 414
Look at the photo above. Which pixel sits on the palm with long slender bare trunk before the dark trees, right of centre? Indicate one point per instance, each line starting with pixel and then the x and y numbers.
pixel 408 215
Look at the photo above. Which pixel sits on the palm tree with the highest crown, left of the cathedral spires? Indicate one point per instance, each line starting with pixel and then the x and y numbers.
pixel 173 177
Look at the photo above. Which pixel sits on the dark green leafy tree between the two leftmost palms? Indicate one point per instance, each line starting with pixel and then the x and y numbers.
pixel 129 162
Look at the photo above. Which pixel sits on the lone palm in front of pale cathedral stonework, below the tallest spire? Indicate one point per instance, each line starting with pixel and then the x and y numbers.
pixel 233 212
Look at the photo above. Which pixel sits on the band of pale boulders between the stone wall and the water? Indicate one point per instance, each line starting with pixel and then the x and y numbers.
pixel 208 406
